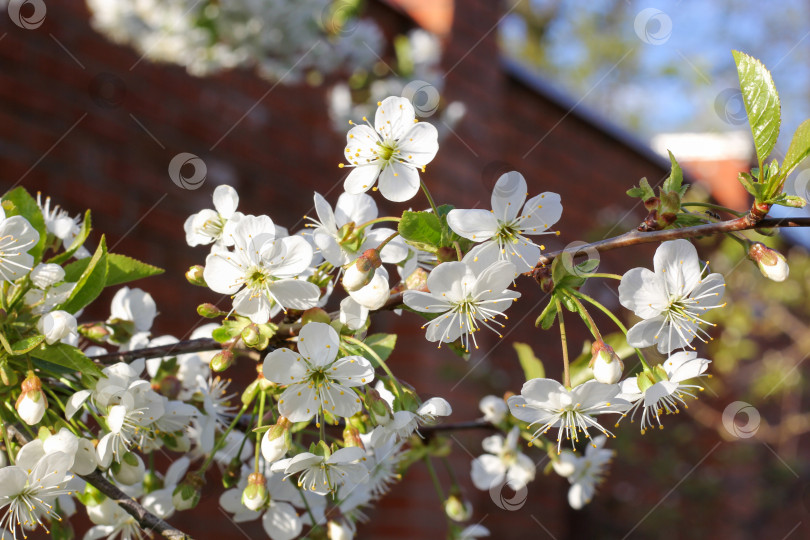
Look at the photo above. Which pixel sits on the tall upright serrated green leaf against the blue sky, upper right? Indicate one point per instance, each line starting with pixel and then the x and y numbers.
pixel 761 102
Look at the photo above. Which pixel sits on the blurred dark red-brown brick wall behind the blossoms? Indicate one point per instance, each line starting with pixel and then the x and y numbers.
pixel 110 153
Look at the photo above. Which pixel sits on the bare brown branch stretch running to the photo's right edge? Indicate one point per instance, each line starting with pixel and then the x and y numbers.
pixel 635 237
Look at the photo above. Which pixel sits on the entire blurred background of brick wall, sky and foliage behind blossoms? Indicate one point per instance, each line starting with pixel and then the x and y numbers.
pixel 97 98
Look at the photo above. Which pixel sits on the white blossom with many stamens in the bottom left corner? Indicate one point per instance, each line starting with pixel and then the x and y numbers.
pixel 29 489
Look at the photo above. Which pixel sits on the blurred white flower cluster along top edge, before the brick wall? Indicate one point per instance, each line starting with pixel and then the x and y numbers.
pixel 282 41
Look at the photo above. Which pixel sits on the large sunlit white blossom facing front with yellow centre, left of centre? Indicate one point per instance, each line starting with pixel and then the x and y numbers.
pixel 260 273
